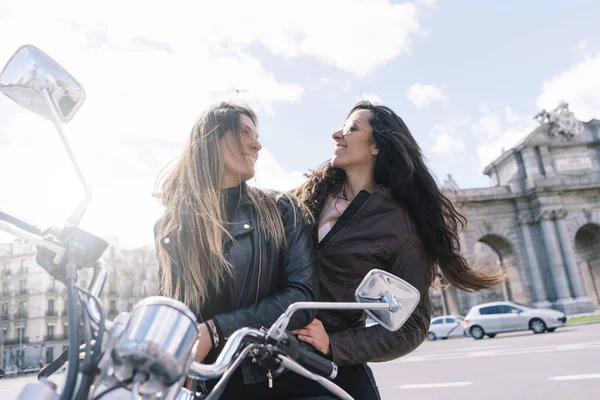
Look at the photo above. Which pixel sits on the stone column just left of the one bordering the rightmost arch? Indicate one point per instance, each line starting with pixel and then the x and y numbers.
pixel 564 300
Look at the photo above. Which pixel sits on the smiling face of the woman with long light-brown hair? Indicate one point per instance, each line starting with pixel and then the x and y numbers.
pixel 239 157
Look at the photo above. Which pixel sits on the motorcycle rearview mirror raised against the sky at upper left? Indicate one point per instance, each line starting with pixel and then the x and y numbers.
pixel 29 73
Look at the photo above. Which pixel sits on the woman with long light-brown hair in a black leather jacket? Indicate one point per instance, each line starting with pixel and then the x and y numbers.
pixel 236 255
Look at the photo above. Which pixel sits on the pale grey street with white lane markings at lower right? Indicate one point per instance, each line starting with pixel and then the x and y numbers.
pixel 560 365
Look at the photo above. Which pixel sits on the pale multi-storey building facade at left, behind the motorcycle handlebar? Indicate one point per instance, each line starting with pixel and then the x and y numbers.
pixel 33 318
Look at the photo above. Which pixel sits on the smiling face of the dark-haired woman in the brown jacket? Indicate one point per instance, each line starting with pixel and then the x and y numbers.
pixel 354 143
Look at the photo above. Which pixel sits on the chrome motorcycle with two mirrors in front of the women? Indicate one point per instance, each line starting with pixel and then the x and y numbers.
pixel 148 353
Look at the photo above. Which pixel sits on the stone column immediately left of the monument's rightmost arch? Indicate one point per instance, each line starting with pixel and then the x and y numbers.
pixel 584 302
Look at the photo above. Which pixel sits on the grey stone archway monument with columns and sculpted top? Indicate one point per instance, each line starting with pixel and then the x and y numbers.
pixel 543 191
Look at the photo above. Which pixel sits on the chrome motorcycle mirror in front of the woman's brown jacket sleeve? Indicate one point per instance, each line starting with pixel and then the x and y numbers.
pixel 382 287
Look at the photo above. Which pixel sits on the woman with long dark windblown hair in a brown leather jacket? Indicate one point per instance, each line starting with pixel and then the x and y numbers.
pixel 376 205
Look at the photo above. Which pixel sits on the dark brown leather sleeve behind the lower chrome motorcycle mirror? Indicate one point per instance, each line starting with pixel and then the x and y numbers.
pixel 377 344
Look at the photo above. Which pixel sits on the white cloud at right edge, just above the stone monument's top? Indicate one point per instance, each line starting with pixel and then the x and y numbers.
pixel 579 86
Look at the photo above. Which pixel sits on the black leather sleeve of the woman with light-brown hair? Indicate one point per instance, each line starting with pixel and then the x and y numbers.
pixel 298 276
